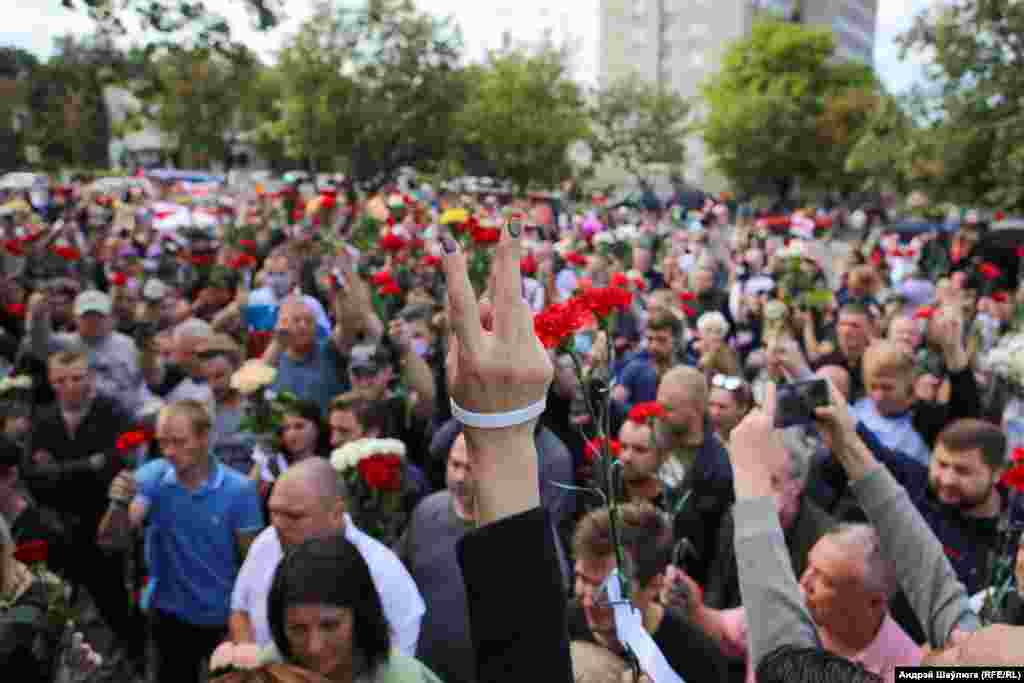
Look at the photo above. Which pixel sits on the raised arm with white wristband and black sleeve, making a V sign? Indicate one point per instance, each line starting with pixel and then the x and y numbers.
pixel 497 370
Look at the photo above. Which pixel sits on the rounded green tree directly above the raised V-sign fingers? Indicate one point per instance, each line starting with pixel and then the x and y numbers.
pixel 523 113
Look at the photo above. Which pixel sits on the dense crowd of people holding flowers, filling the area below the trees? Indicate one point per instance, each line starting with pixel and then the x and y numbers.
pixel 340 439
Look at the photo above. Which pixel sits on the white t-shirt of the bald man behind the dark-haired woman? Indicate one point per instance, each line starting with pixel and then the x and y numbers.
pixel 404 607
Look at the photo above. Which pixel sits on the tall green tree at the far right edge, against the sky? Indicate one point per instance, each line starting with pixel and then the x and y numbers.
pixel 977 102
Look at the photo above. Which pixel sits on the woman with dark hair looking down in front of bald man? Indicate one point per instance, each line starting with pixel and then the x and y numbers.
pixel 335 628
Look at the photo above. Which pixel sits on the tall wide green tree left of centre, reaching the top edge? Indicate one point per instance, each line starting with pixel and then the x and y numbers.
pixel 369 91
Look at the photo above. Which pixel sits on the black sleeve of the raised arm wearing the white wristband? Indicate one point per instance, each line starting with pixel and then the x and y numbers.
pixel 517 601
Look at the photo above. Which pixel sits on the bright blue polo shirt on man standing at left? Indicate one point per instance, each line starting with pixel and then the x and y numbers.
pixel 192 545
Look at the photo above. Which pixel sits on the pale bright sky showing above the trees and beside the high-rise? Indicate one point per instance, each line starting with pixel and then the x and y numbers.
pixel 36 23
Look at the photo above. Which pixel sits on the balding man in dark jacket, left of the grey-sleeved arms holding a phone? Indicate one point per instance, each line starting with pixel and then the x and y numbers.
pixel 697 472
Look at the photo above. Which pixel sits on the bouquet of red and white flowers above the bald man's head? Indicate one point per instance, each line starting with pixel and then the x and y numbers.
pixel 374 473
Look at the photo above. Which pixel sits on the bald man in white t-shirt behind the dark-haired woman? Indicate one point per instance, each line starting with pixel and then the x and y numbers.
pixel 309 501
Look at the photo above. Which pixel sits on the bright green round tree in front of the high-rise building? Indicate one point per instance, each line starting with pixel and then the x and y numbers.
pixel 773 108
